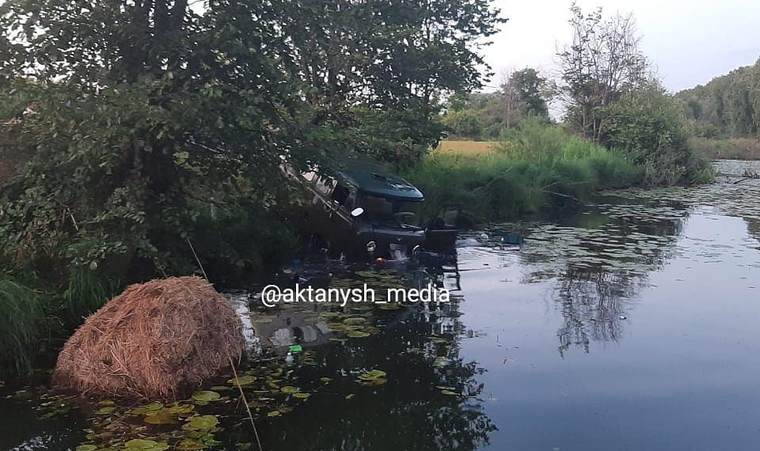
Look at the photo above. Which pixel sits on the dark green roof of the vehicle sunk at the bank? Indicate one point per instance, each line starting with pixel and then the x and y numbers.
pixel 372 178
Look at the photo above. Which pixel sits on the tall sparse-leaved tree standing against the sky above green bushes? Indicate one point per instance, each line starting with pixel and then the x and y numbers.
pixel 602 63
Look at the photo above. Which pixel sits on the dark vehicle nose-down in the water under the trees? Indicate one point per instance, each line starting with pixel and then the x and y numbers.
pixel 361 210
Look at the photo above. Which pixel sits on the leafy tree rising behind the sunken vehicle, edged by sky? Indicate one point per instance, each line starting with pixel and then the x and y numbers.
pixel 367 63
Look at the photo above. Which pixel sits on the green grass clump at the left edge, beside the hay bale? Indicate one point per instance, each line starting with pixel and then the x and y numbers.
pixel 21 316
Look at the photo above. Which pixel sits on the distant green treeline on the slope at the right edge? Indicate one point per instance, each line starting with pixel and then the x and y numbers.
pixel 726 107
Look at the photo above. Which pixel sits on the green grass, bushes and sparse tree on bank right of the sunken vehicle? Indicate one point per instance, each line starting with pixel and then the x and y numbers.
pixel 619 128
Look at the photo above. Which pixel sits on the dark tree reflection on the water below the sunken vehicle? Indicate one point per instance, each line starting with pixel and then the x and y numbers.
pixel 432 399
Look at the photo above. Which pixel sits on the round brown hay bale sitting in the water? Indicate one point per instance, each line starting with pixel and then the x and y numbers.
pixel 156 340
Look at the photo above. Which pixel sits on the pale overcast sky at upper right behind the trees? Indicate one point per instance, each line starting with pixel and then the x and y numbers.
pixel 689 42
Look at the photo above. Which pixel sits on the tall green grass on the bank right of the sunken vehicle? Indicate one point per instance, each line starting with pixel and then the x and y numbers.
pixel 537 168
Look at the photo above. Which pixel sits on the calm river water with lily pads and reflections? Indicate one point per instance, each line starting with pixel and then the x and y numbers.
pixel 633 325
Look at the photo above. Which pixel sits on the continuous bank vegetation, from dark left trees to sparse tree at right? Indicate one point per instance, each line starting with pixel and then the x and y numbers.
pixel 142 136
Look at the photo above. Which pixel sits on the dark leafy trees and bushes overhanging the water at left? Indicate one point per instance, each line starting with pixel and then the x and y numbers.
pixel 144 132
